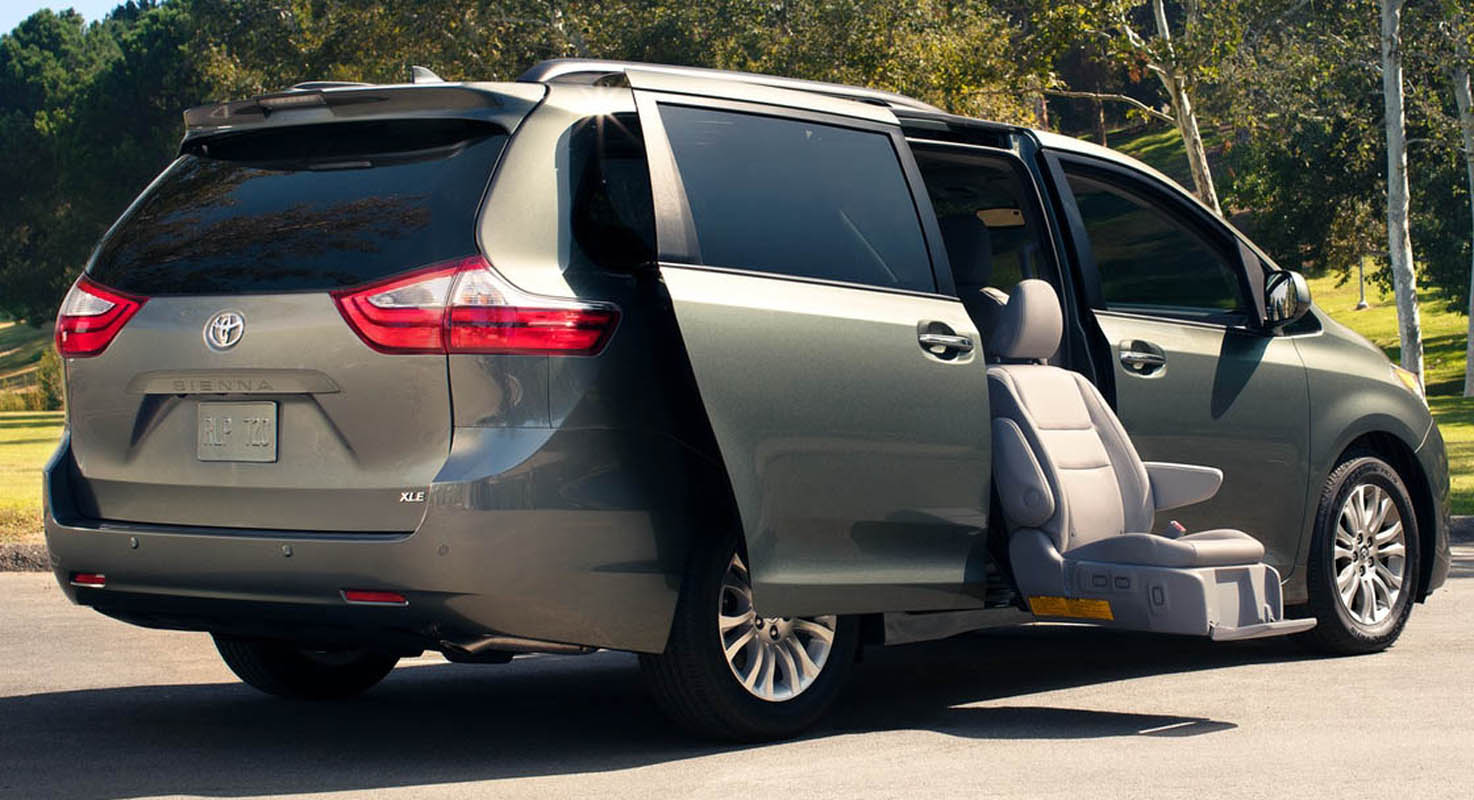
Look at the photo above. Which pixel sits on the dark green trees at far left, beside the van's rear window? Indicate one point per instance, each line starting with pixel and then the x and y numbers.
pixel 89 114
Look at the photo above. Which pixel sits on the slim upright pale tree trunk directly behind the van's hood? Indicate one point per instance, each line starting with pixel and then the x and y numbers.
pixel 1400 242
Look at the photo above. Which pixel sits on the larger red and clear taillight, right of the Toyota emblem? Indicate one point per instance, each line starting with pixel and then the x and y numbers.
pixel 464 307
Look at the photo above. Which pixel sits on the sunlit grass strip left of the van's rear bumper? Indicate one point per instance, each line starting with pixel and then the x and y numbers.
pixel 27 440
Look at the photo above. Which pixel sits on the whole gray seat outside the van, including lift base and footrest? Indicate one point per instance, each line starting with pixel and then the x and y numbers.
pixel 1080 505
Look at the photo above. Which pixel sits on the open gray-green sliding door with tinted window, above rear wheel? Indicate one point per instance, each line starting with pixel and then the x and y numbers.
pixel 847 391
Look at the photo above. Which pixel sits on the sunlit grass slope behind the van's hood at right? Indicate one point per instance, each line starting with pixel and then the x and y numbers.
pixel 1444 337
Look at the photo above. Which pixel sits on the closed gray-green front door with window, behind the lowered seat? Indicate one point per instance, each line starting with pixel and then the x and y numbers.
pixel 1198 381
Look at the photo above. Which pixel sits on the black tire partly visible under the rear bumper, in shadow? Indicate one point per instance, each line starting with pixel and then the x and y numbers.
pixel 300 674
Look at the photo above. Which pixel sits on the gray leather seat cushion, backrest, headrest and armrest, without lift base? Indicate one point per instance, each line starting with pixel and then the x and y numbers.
pixel 1066 468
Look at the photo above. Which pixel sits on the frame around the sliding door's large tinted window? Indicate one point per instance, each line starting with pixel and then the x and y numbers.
pixel 677 242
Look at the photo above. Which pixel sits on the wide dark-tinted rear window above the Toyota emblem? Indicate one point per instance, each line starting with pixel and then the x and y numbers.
pixel 304 210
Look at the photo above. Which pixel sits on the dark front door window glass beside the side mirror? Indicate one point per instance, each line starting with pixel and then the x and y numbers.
pixel 1149 259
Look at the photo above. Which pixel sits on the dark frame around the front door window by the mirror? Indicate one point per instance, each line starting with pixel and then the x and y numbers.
pixel 1173 204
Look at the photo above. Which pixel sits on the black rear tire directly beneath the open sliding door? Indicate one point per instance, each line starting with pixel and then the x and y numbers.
pixel 696 686
